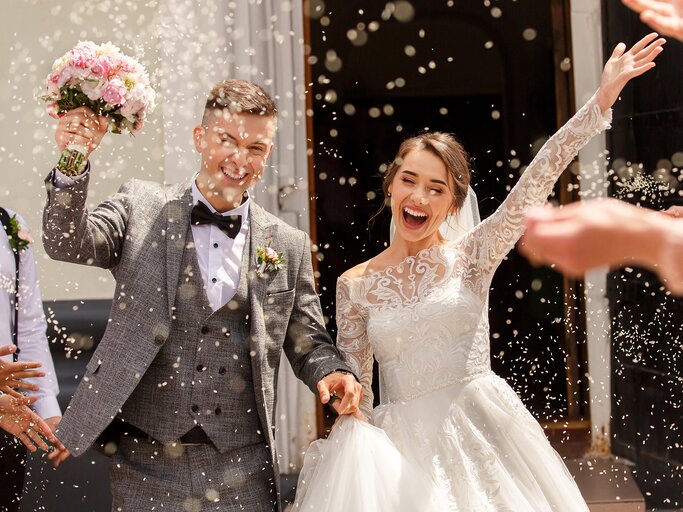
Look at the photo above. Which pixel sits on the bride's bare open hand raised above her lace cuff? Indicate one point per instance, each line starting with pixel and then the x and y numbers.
pixel 624 65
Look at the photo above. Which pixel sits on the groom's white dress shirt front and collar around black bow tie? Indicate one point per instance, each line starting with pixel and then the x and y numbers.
pixel 219 256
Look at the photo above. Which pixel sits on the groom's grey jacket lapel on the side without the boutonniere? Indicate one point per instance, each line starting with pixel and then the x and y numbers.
pixel 177 221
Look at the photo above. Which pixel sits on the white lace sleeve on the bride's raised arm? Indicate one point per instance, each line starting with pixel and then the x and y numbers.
pixel 491 240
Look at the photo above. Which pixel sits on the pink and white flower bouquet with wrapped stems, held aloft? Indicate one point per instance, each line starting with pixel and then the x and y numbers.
pixel 103 79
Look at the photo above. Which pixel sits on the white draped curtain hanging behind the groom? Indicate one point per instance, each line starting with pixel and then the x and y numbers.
pixel 260 41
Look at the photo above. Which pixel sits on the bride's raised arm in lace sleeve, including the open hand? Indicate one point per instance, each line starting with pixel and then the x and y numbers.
pixel 497 235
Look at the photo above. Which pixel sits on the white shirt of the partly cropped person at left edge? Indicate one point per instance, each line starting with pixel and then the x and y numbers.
pixel 32 339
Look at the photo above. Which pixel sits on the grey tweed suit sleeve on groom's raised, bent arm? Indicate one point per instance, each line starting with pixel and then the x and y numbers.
pixel 74 234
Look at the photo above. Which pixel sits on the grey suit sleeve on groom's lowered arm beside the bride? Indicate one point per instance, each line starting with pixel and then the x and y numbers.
pixel 308 346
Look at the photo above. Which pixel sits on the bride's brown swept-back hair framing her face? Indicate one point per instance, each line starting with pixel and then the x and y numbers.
pixel 448 149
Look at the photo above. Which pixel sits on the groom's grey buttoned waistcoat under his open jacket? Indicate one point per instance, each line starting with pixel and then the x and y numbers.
pixel 202 375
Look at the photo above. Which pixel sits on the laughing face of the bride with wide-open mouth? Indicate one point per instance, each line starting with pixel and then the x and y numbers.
pixel 421 196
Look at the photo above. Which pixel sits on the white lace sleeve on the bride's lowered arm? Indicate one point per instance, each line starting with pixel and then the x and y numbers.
pixel 353 343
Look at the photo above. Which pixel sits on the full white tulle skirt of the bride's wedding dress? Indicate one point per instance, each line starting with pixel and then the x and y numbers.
pixel 469 447
